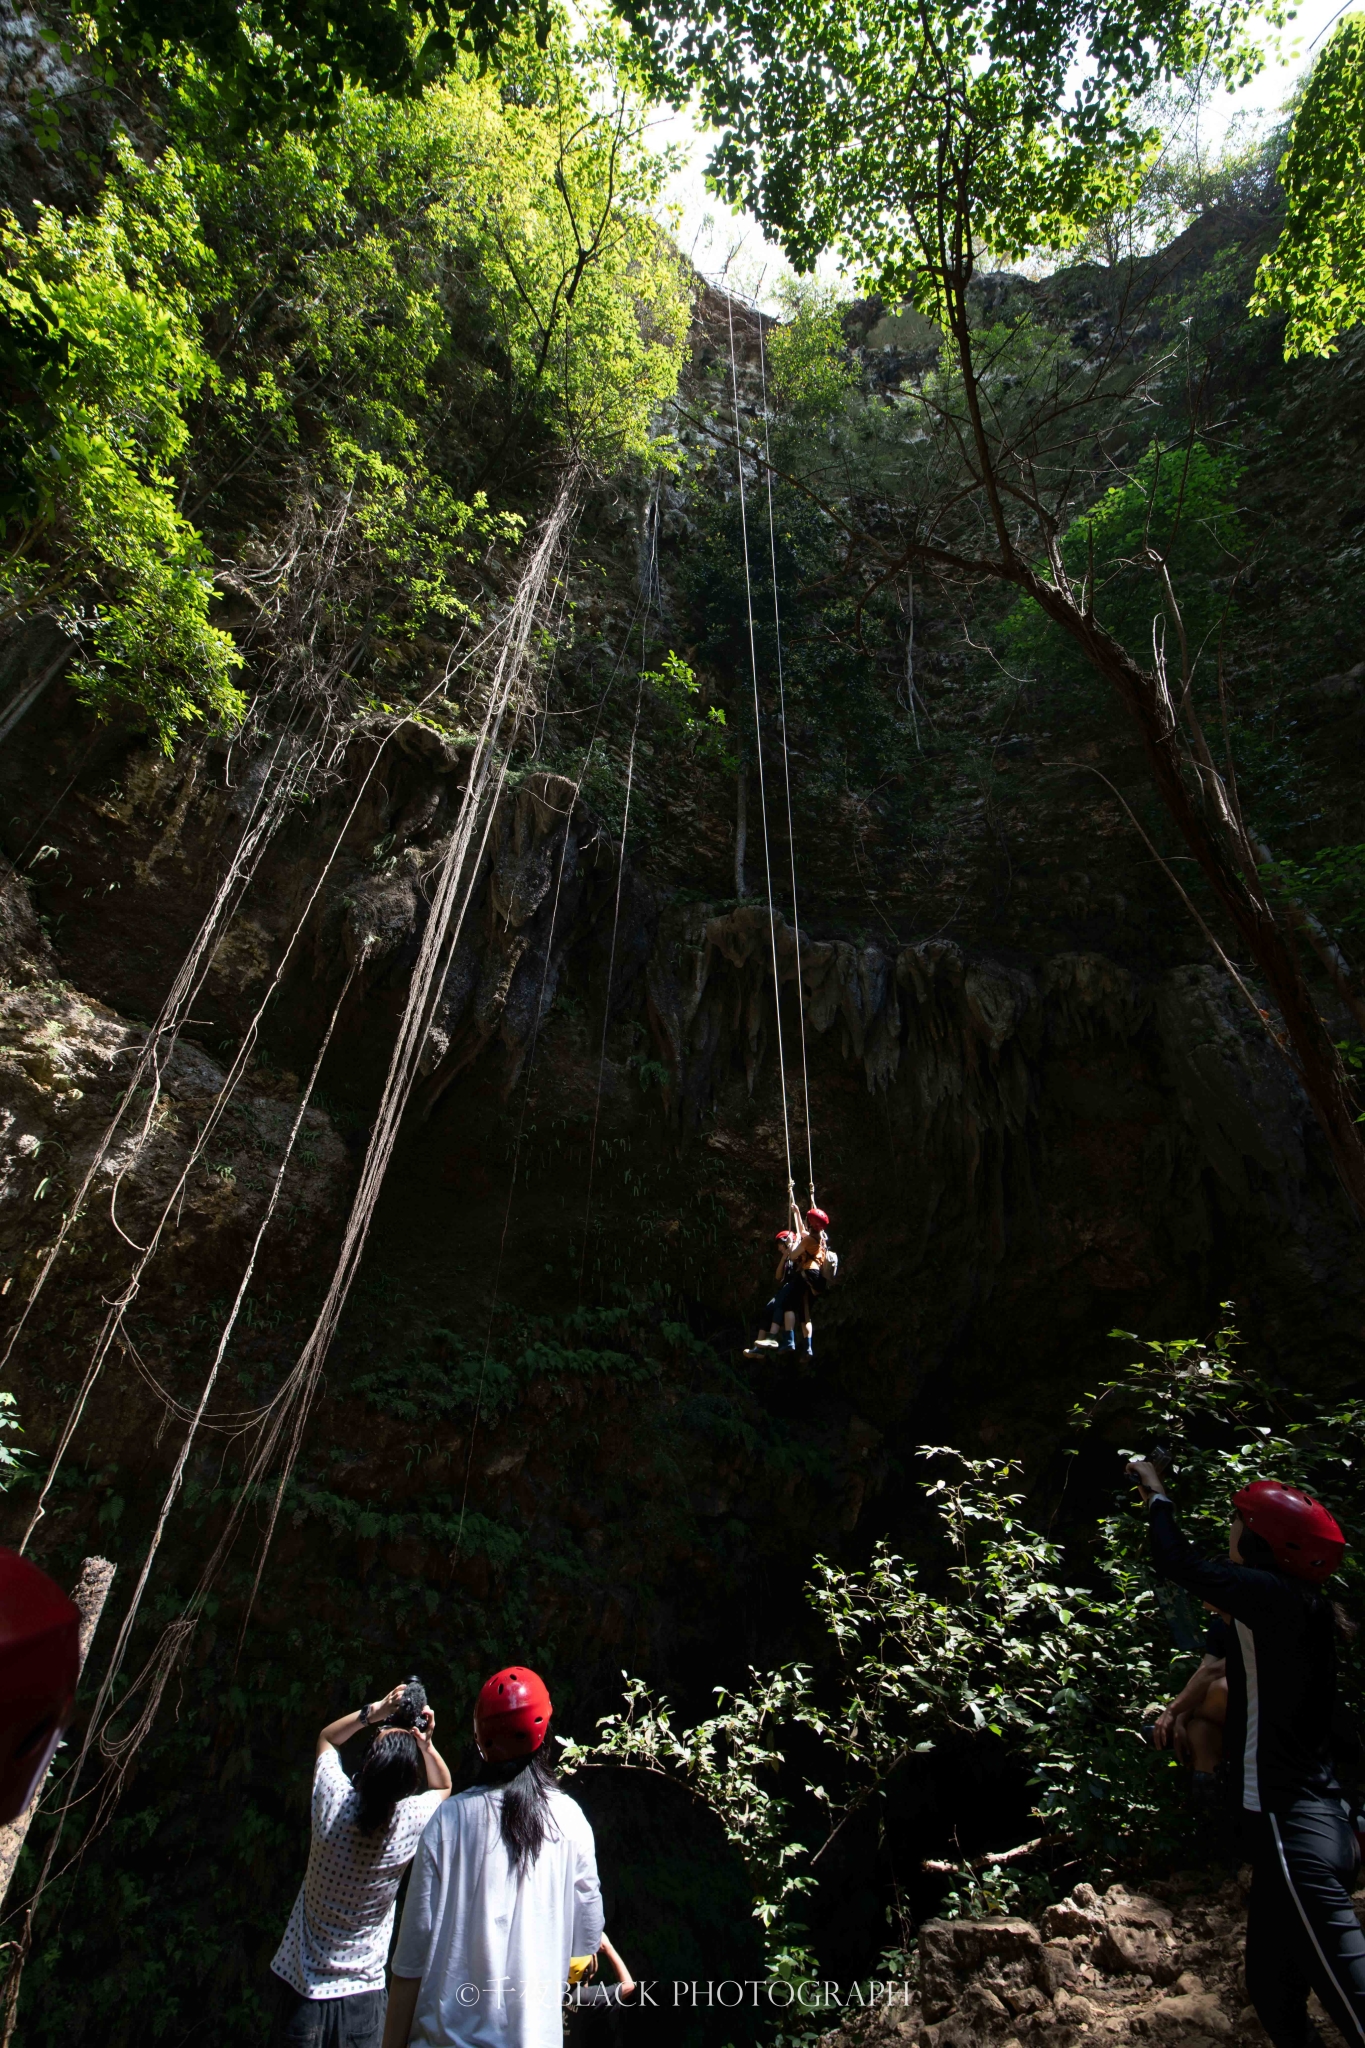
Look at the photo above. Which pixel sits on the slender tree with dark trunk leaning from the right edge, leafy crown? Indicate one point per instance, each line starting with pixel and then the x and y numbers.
pixel 924 142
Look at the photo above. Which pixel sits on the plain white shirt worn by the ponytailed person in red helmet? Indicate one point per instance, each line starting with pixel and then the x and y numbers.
pixel 492 1949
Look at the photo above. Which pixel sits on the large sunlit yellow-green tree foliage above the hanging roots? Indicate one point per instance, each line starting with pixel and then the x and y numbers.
pixel 421 298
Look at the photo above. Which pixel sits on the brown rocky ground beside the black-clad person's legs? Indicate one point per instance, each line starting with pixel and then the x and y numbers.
pixel 1161 1967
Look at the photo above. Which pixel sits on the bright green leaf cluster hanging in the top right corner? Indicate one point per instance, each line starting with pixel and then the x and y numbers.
pixel 1317 271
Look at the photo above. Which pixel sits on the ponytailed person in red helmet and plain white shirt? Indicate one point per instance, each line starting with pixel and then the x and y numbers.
pixel 502 1895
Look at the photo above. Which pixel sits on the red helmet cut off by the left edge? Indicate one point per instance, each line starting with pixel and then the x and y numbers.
pixel 40 1664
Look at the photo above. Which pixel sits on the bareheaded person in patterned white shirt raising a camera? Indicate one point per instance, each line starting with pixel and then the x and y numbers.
pixel 337 1945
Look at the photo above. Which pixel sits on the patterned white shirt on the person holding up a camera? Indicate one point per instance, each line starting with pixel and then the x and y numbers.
pixel 339 1934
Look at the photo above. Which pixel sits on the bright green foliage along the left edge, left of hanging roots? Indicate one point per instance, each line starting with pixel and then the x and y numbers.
pixel 101 339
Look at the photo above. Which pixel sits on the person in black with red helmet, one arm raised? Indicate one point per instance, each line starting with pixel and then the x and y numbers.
pixel 1303 1932
